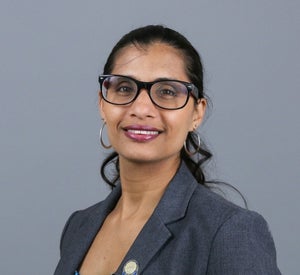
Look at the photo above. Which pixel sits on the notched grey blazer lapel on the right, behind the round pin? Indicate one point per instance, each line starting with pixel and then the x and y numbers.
pixel 155 233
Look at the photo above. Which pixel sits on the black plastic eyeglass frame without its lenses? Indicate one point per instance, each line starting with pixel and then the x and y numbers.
pixel 191 89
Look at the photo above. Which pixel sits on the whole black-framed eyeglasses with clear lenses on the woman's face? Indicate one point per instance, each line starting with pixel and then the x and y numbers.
pixel 164 93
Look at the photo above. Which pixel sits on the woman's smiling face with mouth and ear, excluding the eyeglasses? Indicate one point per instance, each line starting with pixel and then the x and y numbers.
pixel 141 131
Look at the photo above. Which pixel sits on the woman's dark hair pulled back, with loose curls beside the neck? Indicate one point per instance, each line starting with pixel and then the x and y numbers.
pixel 143 37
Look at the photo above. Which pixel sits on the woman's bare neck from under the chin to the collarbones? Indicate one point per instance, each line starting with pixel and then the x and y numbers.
pixel 143 185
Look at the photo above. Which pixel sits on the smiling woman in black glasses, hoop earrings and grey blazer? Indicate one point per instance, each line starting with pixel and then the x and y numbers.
pixel 161 217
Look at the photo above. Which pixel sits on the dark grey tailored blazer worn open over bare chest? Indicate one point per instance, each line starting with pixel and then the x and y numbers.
pixel 192 231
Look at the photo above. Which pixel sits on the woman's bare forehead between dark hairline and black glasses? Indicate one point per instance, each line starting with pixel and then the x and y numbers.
pixel 150 62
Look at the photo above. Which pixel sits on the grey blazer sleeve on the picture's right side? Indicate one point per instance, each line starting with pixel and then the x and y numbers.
pixel 243 245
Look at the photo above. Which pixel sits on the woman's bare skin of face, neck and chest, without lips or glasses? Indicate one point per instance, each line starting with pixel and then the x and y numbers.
pixel 146 167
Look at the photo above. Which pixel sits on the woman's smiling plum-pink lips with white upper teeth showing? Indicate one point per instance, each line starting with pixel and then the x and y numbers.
pixel 141 133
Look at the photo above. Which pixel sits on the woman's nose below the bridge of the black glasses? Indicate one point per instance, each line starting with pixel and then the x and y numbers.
pixel 143 106
